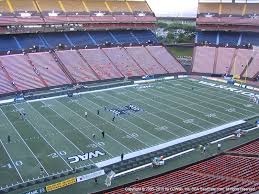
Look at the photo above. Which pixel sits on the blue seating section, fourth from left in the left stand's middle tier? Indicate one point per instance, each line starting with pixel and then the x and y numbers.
pixel 80 38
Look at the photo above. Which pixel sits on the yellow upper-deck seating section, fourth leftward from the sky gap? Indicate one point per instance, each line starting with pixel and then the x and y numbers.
pixel 73 6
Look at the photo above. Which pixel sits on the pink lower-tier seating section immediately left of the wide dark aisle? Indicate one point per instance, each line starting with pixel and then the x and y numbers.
pixel 48 69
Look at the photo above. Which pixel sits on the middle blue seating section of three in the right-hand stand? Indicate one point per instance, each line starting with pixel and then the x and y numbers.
pixel 230 38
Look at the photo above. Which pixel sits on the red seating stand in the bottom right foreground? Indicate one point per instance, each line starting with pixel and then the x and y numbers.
pixel 224 171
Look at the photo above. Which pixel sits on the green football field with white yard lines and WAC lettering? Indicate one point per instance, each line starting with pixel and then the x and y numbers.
pixel 56 129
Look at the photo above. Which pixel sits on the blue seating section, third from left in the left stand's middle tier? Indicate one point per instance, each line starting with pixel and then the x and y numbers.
pixel 54 39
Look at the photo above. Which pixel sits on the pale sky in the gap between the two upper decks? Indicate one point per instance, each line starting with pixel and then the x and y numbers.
pixel 180 8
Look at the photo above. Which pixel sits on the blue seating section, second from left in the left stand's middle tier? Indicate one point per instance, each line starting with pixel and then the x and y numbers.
pixel 29 40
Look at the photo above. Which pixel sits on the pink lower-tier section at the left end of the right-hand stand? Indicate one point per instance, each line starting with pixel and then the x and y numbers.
pixel 204 58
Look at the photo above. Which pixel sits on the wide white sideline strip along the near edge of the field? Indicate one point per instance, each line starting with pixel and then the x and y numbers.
pixel 168 144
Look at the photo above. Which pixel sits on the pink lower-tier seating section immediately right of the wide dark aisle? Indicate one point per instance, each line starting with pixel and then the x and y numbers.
pixel 76 66
